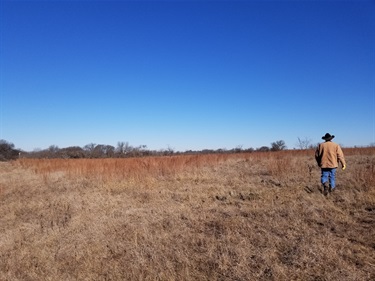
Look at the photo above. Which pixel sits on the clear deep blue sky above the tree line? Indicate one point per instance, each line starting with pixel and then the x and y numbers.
pixel 186 74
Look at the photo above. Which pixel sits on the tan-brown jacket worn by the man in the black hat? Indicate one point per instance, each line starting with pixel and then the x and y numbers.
pixel 329 154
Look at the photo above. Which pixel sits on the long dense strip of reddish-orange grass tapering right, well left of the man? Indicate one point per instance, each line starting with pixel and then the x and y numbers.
pixel 110 169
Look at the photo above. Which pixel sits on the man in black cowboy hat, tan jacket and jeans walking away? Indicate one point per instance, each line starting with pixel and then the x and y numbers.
pixel 328 155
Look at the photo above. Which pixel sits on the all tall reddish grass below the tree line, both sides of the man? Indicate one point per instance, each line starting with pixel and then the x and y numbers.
pixel 282 165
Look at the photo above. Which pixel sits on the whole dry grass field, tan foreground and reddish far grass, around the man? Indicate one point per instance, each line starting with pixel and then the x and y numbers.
pixel 256 216
